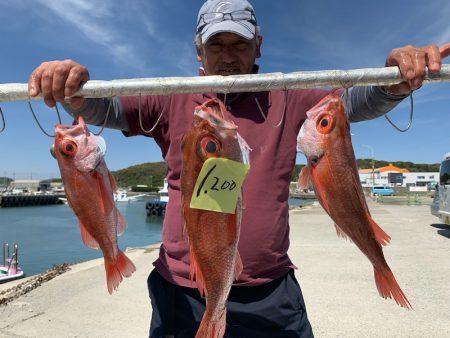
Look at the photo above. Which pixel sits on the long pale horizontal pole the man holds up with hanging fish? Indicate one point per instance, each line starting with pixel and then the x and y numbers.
pixel 233 83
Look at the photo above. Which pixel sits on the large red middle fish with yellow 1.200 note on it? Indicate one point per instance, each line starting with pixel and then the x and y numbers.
pixel 212 236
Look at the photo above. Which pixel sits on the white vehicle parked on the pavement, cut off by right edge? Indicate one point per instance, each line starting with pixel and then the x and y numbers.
pixel 441 203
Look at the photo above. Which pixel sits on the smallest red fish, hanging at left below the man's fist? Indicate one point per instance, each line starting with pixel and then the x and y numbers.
pixel 89 188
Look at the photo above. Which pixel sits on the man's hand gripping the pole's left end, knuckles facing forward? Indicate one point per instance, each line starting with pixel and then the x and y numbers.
pixel 57 80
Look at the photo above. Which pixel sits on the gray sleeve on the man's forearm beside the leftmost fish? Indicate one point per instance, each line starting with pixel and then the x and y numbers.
pixel 95 111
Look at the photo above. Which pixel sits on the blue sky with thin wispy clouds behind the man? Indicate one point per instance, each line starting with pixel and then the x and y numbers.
pixel 149 38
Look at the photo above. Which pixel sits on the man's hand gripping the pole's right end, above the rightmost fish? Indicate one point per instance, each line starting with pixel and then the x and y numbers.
pixel 412 62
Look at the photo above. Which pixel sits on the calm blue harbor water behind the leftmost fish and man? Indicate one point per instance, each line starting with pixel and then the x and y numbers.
pixel 49 235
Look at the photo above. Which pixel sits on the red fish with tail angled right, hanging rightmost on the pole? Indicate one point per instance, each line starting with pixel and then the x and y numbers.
pixel 331 170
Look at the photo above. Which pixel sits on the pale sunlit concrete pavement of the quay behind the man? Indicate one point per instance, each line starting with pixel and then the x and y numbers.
pixel 336 279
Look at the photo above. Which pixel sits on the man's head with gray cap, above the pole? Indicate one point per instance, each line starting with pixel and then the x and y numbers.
pixel 227 38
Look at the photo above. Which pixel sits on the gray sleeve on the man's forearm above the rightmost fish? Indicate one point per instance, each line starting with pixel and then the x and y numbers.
pixel 367 103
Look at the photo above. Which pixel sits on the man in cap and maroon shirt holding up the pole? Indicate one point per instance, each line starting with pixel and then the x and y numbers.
pixel 266 300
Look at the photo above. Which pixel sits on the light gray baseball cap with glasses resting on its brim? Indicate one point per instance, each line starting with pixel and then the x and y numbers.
pixel 235 16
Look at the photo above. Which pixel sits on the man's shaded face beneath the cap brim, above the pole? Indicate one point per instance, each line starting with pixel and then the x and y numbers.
pixel 228 54
